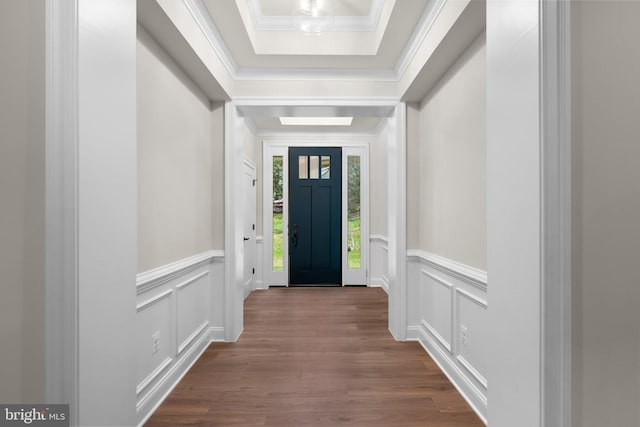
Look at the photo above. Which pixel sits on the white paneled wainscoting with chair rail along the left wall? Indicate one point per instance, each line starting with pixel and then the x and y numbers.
pixel 179 313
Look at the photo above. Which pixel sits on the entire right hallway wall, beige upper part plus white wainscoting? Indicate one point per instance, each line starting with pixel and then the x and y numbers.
pixel 446 223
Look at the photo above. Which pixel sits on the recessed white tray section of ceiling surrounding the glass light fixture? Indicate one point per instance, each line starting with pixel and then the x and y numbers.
pixel 370 35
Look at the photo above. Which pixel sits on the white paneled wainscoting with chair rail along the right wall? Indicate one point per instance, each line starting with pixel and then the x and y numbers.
pixel 451 321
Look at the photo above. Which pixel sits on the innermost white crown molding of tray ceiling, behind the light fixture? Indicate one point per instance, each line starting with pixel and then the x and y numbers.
pixel 342 23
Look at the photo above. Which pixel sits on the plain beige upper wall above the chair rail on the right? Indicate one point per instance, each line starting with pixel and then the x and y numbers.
pixel 452 153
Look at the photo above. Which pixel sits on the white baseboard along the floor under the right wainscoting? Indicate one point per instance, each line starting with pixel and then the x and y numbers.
pixel 474 397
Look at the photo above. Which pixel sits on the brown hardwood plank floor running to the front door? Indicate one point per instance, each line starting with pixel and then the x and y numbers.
pixel 315 357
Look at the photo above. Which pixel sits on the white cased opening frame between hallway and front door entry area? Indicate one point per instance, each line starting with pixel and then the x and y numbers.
pixel 396 121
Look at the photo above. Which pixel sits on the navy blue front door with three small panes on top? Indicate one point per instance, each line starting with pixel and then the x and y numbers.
pixel 315 216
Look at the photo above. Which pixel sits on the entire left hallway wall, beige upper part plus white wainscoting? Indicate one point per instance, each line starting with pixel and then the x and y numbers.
pixel 180 297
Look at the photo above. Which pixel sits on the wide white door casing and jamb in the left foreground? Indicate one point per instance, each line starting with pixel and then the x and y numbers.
pixel 91 237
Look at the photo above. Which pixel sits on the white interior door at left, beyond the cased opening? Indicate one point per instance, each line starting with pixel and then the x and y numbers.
pixel 249 212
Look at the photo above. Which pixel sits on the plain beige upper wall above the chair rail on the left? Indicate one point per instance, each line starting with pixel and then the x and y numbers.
pixel 175 160
